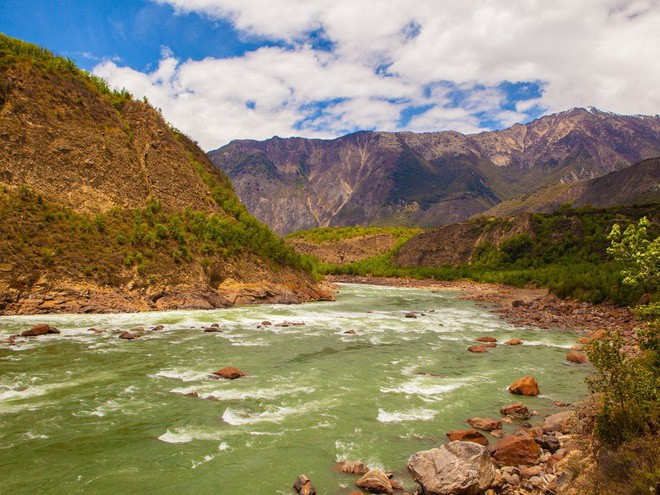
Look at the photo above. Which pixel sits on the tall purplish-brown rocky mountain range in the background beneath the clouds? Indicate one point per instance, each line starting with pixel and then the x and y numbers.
pixel 377 178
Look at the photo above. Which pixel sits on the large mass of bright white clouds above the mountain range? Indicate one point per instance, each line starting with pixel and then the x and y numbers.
pixel 594 52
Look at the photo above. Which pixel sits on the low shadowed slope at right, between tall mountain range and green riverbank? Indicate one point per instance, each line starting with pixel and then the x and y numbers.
pixel 637 184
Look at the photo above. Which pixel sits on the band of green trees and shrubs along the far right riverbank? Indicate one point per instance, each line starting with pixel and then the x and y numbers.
pixel 571 263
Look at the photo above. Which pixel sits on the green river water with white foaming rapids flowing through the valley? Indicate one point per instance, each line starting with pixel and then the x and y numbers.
pixel 86 413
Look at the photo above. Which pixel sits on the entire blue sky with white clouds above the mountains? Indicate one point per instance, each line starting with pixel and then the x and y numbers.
pixel 251 69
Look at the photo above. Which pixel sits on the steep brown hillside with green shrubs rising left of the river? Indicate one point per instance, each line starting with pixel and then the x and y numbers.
pixel 105 207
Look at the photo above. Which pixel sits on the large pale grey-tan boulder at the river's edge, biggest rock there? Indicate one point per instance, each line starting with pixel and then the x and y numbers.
pixel 458 468
